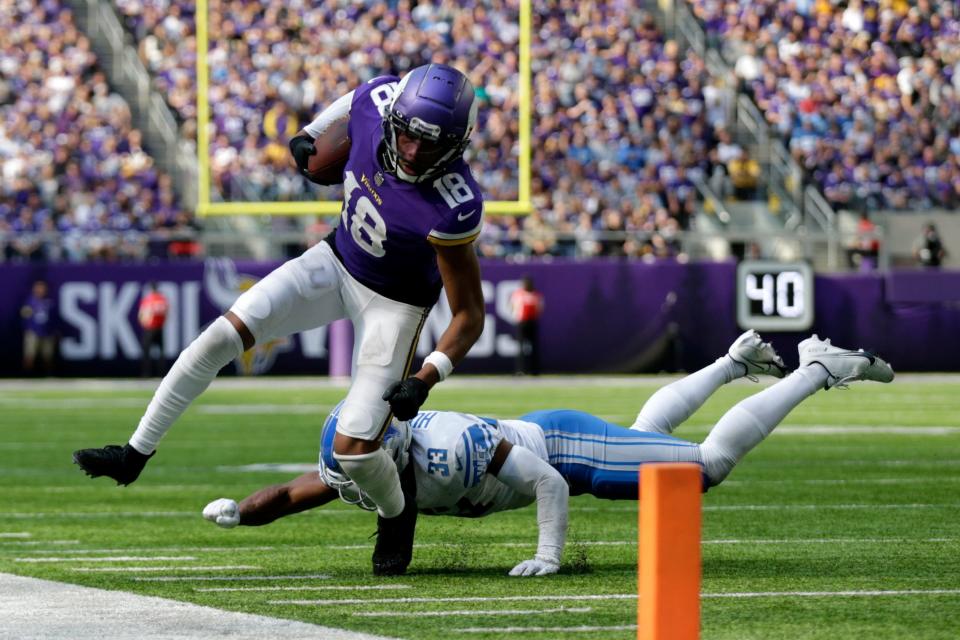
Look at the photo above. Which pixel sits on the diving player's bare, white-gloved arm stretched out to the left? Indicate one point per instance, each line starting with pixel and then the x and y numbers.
pixel 270 503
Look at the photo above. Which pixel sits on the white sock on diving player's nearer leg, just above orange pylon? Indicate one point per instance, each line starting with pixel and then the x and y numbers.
pixel 752 419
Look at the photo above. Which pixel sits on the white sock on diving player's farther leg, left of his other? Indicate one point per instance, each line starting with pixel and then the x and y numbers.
pixel 666 409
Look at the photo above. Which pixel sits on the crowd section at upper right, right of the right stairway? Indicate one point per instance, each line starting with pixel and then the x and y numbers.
pixel 866 93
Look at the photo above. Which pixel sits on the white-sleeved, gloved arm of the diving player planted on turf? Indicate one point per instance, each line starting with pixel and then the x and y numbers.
pixel 525 473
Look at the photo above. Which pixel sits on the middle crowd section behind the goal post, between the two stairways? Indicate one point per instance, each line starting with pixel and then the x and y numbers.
pixel 608 156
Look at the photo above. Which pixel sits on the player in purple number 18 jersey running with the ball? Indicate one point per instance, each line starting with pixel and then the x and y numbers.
pixel 411 212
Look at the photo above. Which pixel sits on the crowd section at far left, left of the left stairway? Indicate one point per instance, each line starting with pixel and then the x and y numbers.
pixel 76 181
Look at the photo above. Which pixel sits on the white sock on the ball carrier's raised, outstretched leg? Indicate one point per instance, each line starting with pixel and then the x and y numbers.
pixel 189 376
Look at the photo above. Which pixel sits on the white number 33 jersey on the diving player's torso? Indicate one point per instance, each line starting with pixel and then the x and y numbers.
pixel 451 452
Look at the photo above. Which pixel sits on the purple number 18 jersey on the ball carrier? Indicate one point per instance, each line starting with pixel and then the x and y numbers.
pixel 387 226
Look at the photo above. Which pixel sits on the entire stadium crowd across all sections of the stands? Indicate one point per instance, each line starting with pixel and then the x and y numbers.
pixel 865 94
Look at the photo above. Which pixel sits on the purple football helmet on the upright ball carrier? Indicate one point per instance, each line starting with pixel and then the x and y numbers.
pixel 434 104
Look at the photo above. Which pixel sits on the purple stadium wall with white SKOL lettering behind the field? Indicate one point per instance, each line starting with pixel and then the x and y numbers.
pixel 603 316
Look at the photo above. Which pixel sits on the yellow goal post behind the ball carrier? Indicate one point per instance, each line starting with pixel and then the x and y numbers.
pixel 206 207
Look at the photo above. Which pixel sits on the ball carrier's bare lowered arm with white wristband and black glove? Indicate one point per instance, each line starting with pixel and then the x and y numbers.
pixel 460 272
